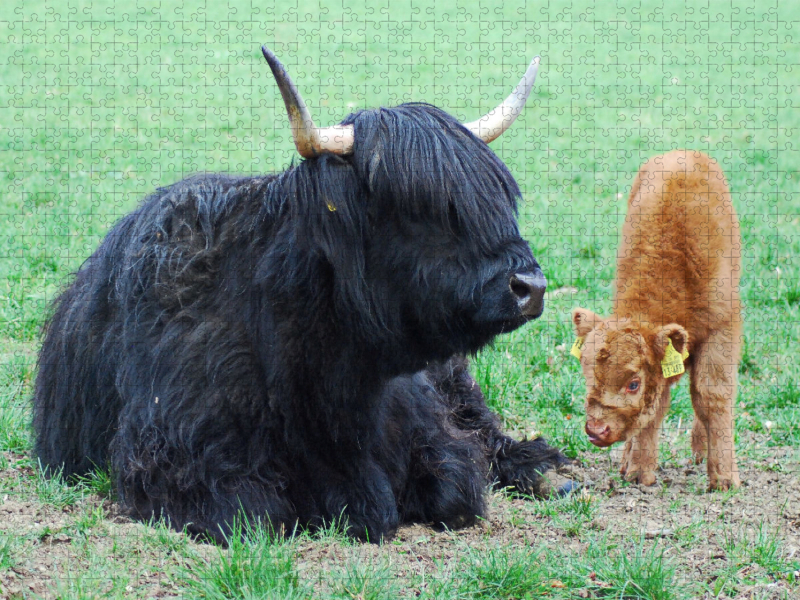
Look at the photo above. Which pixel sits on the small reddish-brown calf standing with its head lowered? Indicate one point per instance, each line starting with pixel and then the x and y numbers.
pixel 677 279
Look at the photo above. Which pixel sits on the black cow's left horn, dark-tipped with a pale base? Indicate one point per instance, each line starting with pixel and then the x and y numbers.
pixel 309 139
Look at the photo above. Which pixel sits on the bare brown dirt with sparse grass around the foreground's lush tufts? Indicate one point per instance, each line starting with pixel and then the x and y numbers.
pixel 738 544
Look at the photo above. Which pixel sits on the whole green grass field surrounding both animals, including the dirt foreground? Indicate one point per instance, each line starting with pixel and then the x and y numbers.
pixel 101 102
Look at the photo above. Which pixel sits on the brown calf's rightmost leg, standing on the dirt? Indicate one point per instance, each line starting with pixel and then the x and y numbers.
pixel 713 389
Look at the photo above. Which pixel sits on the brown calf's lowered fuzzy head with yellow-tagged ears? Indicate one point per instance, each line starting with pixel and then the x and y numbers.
pixel 622 364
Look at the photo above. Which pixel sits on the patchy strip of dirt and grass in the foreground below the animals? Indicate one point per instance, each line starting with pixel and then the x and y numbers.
pixel 613 540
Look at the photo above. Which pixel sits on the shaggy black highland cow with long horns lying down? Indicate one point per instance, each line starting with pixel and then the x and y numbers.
pixel 289 346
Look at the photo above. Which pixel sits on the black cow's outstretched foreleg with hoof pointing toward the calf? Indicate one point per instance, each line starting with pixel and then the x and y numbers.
pixel 524 466
